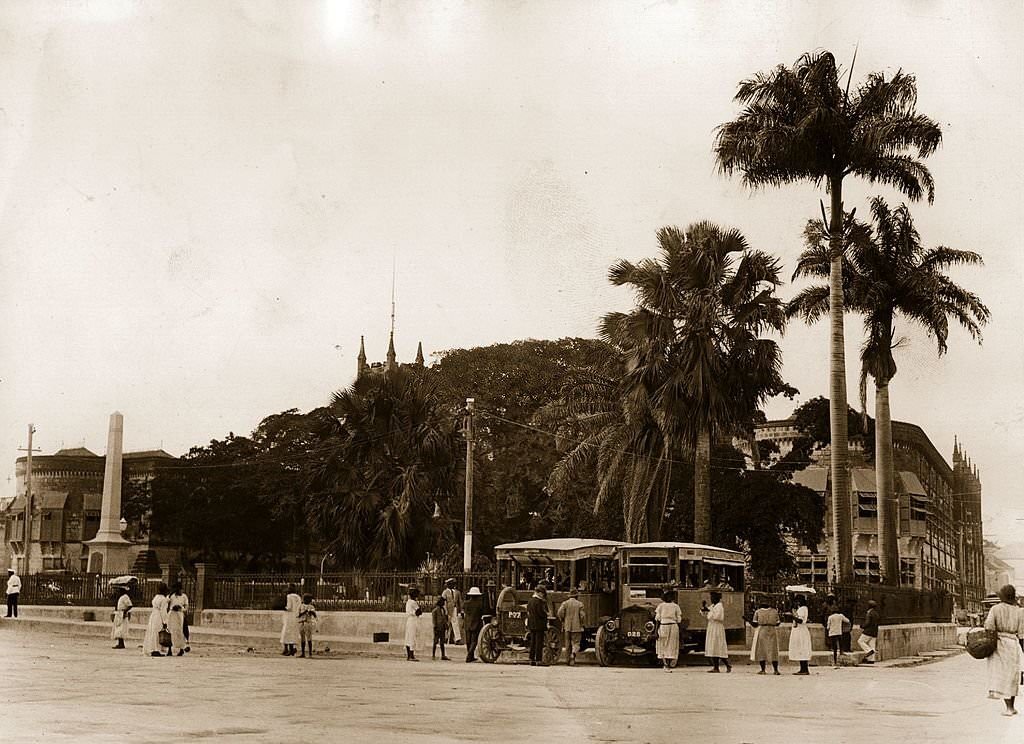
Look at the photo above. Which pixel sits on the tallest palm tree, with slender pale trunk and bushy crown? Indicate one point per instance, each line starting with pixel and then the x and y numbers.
pixel 799 124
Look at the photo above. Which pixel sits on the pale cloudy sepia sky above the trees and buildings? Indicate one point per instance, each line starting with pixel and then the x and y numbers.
pixel 201 203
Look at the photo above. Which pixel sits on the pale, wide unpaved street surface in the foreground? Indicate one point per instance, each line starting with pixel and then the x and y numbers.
pixel 66 689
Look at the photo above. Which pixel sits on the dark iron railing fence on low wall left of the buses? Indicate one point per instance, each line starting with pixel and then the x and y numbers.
pixel 356 591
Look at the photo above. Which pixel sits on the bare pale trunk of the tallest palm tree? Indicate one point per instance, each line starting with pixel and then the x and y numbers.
pixel 842 520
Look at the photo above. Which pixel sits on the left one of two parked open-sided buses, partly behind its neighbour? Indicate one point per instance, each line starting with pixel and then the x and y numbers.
pixel 588 565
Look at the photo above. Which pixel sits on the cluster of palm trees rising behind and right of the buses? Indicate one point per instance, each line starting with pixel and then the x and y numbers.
pixel 696 364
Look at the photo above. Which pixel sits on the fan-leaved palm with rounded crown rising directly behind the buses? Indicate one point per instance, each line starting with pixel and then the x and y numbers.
pixel 694 341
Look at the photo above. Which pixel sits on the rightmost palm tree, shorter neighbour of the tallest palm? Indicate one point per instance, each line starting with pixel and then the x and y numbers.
pixel 887 273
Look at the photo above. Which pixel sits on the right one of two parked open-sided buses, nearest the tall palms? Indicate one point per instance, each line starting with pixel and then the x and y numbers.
pixel 694 572
